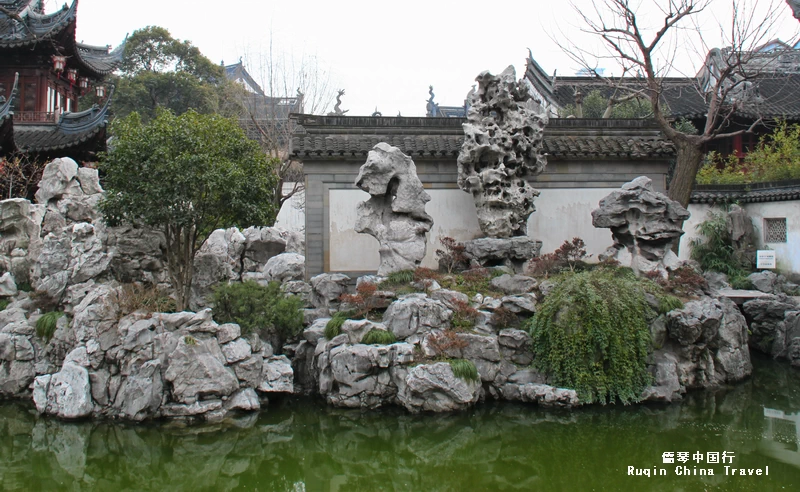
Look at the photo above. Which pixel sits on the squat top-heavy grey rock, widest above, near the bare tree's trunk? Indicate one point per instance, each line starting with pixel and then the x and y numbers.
pixel 644 222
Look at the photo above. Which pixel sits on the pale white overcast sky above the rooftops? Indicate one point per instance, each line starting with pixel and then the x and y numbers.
pixel 385 55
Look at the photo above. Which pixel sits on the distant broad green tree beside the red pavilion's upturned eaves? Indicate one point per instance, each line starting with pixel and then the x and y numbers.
pixel 159 71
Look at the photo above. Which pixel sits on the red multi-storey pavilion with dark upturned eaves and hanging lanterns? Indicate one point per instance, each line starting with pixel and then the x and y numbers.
pixel 43 73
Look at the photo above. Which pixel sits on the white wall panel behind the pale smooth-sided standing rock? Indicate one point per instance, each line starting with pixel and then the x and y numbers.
pixel 453 213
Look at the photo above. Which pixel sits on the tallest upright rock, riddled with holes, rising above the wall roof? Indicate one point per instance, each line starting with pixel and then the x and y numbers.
pixel 502 148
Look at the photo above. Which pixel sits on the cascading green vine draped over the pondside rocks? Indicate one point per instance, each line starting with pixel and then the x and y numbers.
pixel 591 334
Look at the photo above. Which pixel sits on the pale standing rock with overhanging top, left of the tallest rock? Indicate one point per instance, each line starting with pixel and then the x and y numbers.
pixel 395 213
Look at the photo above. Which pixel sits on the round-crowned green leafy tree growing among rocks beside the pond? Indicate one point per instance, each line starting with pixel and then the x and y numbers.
pixel 185 175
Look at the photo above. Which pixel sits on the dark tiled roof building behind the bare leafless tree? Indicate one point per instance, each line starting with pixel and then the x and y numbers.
pixel 765 91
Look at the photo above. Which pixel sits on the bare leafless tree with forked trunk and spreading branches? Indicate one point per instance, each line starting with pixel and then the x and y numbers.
pixel 727 77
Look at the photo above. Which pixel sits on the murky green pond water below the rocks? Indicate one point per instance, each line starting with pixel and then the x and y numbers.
pixel 303 445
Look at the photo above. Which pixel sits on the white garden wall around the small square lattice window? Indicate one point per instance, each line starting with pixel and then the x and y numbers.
pixel 787 254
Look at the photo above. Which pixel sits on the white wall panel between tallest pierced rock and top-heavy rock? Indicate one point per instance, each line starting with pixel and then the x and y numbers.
pixel 564 213
